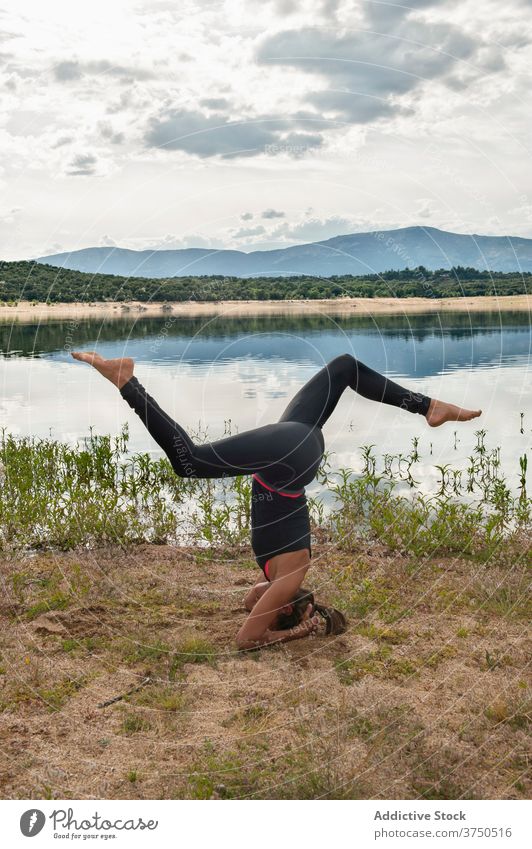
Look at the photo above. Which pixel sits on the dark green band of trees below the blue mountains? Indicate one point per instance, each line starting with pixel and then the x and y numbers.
pixel 32 281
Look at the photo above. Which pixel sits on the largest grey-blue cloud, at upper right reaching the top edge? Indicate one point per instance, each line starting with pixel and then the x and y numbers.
pixel 367 72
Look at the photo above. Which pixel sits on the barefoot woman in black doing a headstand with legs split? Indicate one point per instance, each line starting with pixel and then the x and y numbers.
pixel 283 458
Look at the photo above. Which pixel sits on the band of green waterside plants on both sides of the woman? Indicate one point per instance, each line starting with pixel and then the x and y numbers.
pixel 62 496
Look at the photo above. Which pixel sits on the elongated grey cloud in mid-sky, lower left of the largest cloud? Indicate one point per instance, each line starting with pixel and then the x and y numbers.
pixel 204 136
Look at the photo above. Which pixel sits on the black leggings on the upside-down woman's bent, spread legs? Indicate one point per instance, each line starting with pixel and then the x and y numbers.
pixel 286 454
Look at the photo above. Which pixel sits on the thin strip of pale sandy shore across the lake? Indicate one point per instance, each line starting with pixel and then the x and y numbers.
pixel 26 311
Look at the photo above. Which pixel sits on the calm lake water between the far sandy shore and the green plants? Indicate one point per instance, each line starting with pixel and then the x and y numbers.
pixel 206 371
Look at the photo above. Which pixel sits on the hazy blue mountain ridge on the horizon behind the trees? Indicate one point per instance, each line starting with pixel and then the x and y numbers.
pixel 354 254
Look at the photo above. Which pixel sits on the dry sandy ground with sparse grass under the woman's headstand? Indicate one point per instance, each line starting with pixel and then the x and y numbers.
pixel 426 696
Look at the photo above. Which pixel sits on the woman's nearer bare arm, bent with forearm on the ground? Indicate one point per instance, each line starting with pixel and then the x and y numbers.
pixel 290 571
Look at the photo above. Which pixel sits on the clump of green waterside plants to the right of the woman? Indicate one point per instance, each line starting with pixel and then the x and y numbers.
pixel 472 510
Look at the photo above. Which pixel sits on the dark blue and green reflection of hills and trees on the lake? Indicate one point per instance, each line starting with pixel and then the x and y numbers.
pixel 416 344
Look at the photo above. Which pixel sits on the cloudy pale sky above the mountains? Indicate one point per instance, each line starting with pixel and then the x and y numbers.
pixel 260 124
